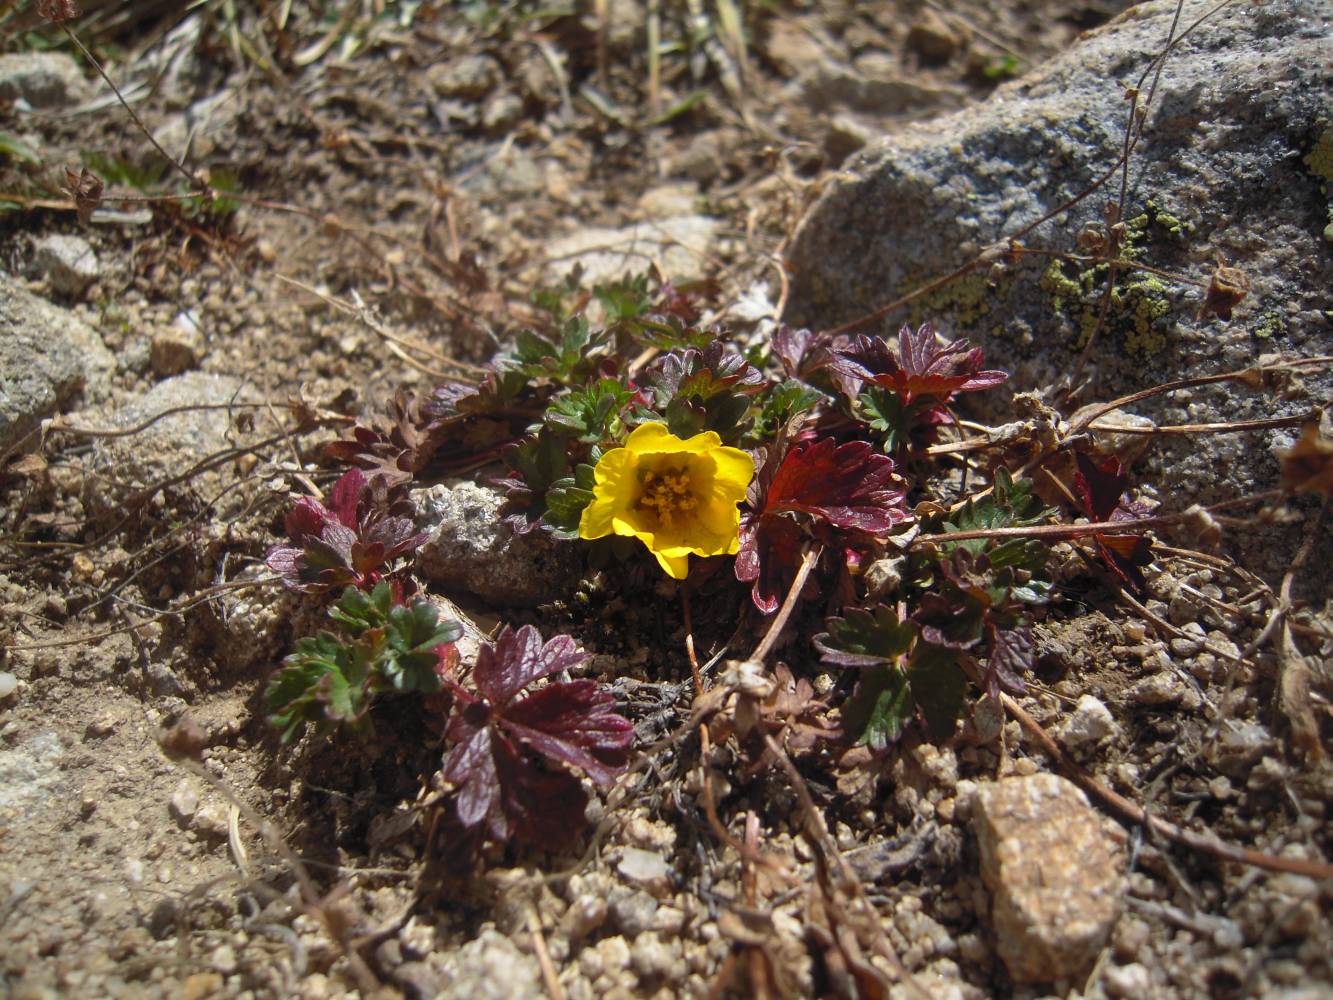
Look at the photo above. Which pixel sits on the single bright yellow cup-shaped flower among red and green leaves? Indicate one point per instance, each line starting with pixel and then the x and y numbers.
pixel 678 498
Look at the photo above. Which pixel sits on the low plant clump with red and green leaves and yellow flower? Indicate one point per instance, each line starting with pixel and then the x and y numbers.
pixel 812 467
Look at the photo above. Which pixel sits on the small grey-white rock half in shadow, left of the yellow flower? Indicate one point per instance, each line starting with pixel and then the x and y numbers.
pixel 470 549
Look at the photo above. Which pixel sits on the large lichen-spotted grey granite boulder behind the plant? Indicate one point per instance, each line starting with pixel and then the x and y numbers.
pixel 1235 163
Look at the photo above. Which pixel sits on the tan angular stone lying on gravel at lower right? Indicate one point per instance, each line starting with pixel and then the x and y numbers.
pixel 1055 873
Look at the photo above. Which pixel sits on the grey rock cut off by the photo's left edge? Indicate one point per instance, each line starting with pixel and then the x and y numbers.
pixel 47 358
